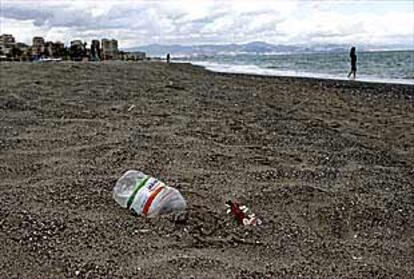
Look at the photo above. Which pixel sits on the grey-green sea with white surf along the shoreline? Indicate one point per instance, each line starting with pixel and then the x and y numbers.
pixel 372 66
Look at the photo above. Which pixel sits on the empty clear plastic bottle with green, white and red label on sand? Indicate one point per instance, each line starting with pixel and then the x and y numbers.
pixel 146 195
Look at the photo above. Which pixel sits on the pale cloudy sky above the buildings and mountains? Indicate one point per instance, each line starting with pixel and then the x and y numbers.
pixel 136 23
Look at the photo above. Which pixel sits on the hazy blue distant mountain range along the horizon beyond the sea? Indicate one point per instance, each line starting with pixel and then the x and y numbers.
pixel 233 49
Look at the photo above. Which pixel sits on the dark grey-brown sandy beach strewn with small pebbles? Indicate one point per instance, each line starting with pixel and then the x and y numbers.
pixel 327 165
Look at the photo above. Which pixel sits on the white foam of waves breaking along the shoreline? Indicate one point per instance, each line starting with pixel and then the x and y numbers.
pixel 253 69
